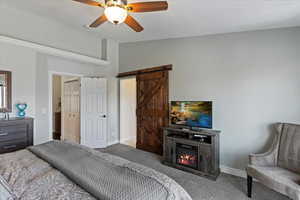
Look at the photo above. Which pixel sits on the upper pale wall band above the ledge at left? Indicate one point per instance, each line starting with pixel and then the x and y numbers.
pixel 27 26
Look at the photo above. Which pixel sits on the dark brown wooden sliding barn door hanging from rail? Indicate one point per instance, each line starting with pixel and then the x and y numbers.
pixel 152 110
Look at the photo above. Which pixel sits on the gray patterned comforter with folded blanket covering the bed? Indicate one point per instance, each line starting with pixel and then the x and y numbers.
pixel 93 175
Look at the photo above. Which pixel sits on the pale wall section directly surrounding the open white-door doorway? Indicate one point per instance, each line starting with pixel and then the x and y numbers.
pixel 46 64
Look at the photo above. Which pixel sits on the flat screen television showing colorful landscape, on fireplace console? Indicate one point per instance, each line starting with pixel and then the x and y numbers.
pixel 191 114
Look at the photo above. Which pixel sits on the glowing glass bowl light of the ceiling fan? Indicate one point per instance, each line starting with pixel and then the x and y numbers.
pixel 115 14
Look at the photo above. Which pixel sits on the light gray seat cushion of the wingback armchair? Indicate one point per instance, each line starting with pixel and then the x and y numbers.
pixel 278 179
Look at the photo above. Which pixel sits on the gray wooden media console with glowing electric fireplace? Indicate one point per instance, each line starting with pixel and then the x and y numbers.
pixel 195 151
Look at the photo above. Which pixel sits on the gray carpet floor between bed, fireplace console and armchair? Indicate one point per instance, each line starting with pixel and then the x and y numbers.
pixel 227 187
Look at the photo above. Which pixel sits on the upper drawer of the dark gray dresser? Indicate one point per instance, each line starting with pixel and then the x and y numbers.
pixel 15 132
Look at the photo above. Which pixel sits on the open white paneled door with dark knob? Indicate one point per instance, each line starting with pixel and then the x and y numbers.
pixel 94 112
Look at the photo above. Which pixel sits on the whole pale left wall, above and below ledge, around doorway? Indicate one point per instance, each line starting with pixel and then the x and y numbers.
pixel 31 69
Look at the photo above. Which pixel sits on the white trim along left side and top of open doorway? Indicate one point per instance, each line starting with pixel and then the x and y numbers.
pixel 50 95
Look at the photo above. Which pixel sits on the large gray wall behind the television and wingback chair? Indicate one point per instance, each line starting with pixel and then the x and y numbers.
pixel 252 78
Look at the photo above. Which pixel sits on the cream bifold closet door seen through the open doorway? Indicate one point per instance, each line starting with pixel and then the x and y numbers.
pixel 71 111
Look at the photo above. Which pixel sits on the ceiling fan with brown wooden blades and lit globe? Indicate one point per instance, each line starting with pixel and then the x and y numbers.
pixel 116 11
